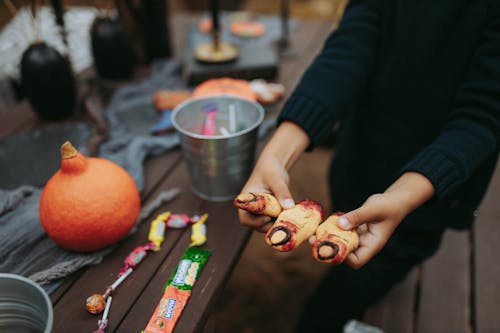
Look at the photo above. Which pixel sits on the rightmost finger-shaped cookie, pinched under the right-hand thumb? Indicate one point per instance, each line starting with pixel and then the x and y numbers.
pixel 333 244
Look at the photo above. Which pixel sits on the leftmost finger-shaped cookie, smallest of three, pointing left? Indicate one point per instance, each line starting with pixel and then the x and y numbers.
pixel 258 203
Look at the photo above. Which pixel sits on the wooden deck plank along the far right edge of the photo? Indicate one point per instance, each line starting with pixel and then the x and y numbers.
pixel 486 254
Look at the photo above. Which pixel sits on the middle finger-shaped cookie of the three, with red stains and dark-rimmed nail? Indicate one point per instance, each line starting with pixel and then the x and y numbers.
pixel 295 225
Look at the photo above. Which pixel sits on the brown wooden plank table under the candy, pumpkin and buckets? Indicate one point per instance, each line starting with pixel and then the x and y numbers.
pixel 137 297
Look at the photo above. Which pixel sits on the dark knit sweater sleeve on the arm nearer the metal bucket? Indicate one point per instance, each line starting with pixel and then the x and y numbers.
pixel 338 73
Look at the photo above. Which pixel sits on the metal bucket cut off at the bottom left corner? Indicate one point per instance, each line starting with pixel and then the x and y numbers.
pixel 24 306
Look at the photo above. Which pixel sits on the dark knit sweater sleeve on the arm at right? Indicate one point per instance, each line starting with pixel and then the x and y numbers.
pixel 471 135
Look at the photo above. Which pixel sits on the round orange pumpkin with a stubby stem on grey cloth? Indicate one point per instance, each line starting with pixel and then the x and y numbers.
pixel 89 203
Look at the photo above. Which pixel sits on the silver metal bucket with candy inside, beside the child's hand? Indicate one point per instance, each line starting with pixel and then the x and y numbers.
pixel 218 138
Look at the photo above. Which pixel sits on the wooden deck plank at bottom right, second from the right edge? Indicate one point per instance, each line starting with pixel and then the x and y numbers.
pixel 445 287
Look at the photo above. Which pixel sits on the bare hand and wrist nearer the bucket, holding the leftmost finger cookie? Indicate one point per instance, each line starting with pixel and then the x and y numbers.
pixel 270 174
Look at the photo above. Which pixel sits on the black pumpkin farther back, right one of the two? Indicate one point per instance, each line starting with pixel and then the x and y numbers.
pixel 112 51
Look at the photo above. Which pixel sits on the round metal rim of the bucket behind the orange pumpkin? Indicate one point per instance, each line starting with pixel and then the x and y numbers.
pixel 177 109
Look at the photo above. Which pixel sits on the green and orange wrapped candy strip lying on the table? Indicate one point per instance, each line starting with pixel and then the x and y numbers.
pixel 177 292
